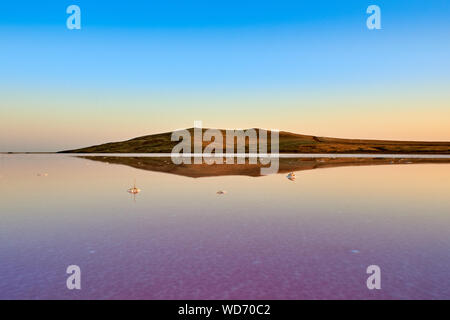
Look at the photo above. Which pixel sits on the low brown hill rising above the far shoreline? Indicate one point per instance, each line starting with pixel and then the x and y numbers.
pixel 288 143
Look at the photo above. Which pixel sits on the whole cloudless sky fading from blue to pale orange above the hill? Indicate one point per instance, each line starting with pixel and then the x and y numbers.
pixel 141 67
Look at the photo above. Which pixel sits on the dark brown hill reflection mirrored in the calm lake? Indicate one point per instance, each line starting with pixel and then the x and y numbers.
pixel 286 165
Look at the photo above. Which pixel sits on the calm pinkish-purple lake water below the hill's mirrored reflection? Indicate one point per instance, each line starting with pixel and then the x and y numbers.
pixel 267 238
